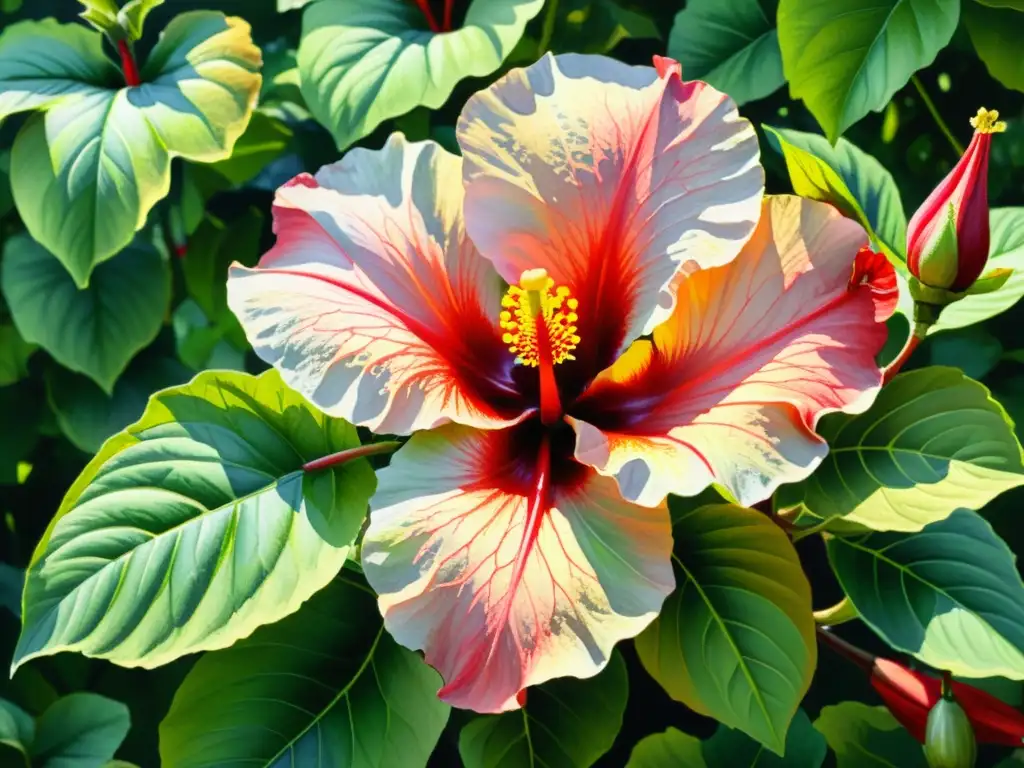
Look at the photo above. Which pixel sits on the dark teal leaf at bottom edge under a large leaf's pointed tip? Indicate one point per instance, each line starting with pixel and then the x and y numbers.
pixel 805 748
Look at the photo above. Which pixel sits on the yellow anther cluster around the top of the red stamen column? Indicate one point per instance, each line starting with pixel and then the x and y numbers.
pixel 537 298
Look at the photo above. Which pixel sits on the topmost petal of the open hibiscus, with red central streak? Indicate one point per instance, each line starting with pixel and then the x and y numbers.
pixel 612 178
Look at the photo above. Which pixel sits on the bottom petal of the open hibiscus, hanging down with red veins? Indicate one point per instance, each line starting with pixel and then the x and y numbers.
pixel 498 595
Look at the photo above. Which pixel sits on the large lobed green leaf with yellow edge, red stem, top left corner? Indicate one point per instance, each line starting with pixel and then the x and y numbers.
pixel 88 170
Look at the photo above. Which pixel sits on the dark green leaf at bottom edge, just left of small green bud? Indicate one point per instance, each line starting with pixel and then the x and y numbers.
pixel 866 737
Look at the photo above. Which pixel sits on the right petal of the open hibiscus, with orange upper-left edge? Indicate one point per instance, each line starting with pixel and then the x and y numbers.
pixel 754 355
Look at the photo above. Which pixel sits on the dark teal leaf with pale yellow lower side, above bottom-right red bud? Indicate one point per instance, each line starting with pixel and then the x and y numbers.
pixel 949 594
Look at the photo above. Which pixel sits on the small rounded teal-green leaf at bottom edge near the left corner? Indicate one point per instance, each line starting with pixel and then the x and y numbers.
pixel 81 731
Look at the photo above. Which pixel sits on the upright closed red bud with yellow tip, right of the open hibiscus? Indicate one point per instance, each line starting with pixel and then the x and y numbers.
pixel 948 239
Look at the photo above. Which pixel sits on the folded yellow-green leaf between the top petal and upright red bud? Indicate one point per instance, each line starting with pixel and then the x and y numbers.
pixel 848 179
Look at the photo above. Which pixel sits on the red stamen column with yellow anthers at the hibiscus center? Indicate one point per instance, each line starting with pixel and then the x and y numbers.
pixel 539 324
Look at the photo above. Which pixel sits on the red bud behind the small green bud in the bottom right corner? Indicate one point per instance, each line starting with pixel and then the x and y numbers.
pixel 911 697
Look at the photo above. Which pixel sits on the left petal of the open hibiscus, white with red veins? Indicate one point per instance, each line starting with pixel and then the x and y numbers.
pixel 373 304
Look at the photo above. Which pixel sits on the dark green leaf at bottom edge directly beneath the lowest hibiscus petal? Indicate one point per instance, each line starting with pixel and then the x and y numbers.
pixel 568 723
